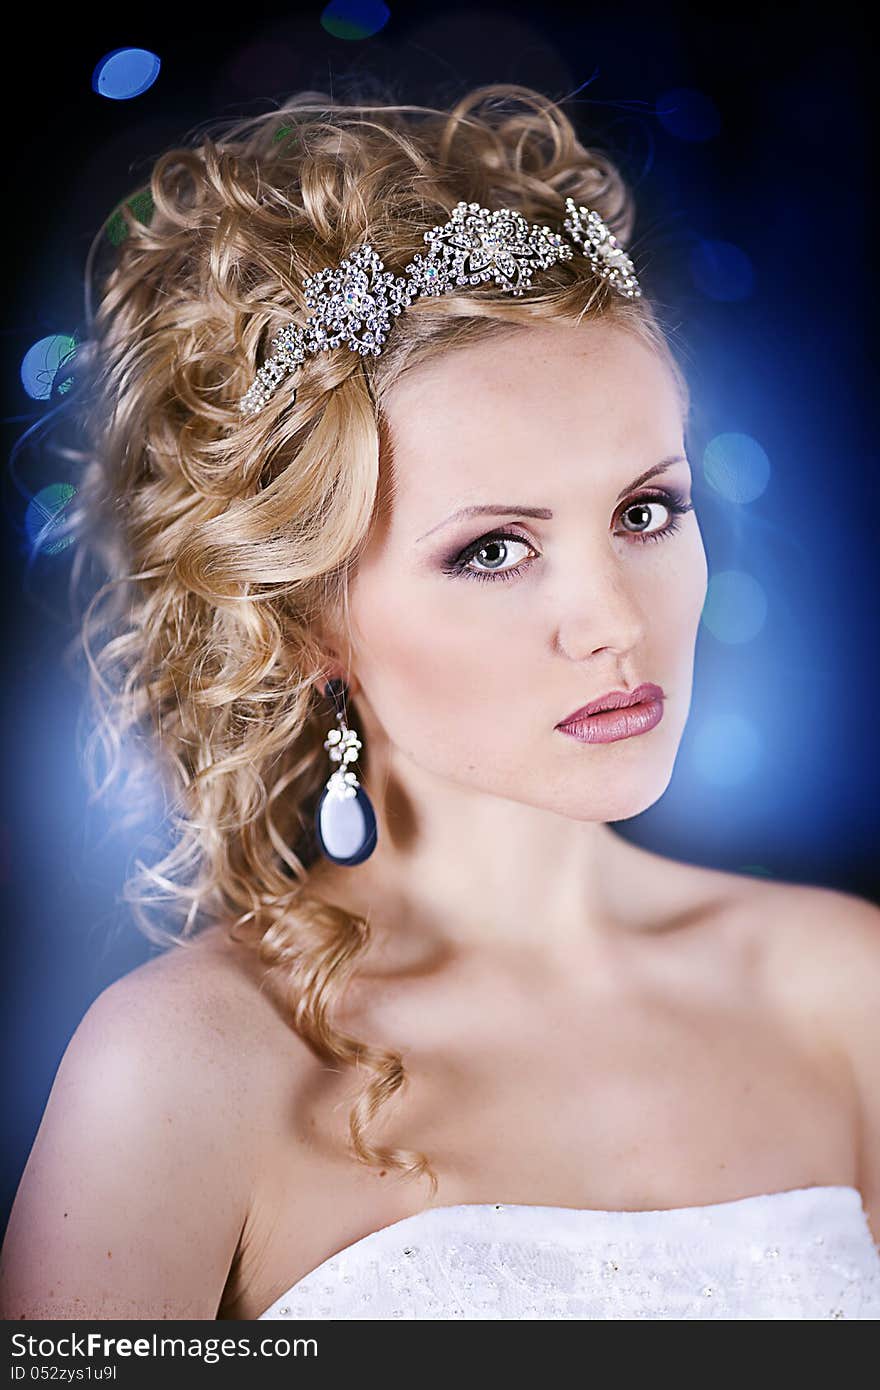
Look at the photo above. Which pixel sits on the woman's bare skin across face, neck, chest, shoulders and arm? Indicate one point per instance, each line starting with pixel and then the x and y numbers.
pixel 585 1024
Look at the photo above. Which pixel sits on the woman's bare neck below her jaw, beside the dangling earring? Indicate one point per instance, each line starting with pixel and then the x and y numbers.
pixel 459 869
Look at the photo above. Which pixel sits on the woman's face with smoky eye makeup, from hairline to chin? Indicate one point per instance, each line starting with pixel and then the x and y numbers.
pixel 475 636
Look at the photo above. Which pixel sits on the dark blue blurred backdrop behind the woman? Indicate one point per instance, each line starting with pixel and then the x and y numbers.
pixel 786 180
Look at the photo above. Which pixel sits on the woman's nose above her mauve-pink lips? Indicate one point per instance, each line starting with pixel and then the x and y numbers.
pixel 604 612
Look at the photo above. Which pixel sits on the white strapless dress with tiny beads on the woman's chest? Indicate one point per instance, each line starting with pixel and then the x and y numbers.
pixel 804 1253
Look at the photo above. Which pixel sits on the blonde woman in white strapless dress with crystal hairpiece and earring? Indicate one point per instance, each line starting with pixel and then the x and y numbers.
pixel 387 469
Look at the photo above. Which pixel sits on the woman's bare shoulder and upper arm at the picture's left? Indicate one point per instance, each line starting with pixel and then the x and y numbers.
pixel 141 1177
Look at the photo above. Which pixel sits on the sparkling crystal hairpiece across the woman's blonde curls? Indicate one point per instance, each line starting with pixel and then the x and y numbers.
pixel 355 304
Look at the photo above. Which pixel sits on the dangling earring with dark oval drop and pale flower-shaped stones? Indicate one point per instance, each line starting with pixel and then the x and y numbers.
pixel 344 819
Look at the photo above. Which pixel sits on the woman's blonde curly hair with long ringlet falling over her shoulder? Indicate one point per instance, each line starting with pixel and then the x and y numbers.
pixel 226 543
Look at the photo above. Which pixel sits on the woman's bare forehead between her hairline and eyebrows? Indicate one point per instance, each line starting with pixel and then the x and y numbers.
pixel 494 409
